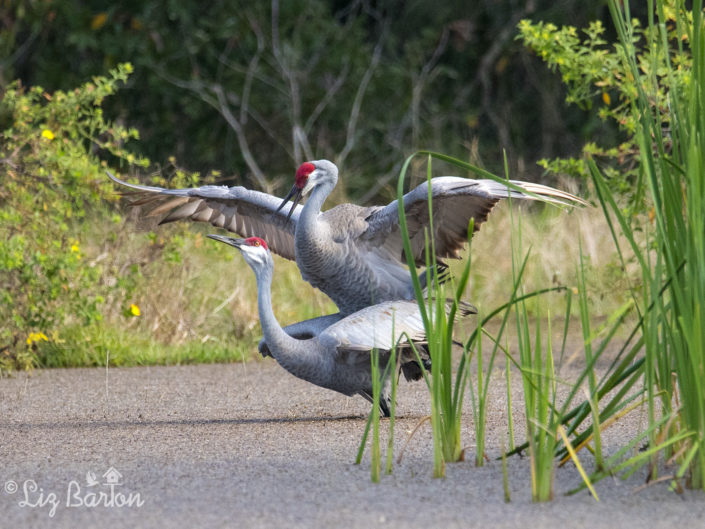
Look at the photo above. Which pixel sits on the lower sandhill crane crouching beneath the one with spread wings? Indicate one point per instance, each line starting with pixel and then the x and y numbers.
pixel 337 356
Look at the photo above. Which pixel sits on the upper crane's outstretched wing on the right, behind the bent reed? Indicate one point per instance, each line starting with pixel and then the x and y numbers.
pixel 455 201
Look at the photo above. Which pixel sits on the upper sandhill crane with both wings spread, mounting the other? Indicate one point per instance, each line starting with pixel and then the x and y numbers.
pixel 352 253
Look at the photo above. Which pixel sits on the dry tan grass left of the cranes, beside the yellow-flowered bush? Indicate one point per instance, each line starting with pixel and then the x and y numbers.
pixel 208 293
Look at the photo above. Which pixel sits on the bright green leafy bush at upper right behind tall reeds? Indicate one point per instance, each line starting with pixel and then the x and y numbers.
pixel 596 73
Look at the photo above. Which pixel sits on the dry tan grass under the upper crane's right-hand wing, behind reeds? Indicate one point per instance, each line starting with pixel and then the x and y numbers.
pixel 554 237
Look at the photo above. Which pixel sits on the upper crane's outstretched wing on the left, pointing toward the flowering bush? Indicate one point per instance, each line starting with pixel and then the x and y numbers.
pixel 236 209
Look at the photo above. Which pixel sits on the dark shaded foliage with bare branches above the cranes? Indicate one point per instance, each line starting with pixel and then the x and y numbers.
pixel 254 88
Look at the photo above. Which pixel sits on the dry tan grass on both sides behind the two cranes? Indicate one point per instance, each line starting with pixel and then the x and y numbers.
pixel 209 294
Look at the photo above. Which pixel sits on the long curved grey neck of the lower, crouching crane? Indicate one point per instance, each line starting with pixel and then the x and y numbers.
pixel 292 354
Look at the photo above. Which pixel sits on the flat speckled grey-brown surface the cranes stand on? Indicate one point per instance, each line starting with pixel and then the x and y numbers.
pixel 251 446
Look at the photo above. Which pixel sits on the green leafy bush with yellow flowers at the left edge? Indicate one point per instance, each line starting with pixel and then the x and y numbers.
pixel 53 182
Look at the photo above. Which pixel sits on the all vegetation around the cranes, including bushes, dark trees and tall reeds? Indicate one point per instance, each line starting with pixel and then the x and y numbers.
pixel 244 92
